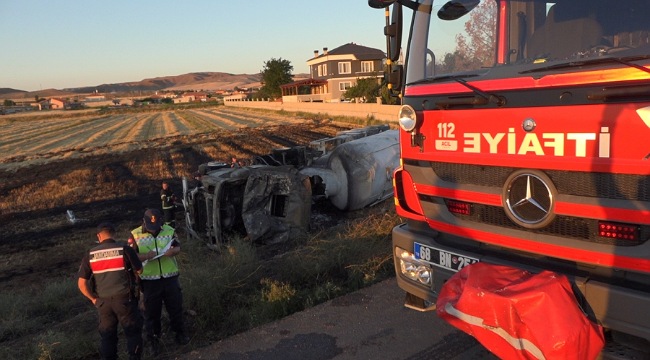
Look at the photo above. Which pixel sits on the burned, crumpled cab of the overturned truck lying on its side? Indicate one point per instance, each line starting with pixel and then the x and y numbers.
pixel 261 201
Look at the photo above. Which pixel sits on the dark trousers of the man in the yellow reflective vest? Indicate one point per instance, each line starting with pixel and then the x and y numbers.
pixel 156 293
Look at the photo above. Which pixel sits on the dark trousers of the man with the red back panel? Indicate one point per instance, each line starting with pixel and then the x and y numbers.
pixel 122 310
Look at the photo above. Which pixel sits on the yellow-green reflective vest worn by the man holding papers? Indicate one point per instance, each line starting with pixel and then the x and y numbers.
pixel 162 267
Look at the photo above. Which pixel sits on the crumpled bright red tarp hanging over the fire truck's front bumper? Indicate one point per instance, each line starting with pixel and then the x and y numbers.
pixel 519 315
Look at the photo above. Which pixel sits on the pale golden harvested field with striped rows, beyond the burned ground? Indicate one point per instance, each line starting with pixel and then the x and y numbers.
pixel 36 138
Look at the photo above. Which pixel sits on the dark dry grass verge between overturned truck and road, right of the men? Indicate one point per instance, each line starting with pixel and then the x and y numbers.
pixel 242 289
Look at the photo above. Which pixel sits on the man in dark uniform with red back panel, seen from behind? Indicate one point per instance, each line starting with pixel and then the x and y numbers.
pixel 113 268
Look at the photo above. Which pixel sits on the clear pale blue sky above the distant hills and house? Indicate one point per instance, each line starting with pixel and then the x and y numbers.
pixel 73 43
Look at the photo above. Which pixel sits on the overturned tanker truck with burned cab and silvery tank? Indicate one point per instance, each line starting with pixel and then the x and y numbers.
pixel 270 201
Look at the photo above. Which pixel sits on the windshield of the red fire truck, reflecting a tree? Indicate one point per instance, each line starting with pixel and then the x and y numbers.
pixel 522 35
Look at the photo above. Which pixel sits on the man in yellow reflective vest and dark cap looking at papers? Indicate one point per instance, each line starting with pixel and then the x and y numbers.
pixel 157 246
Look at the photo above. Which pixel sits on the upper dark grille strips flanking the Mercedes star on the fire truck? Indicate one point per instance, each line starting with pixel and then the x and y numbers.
pixel 587 184
